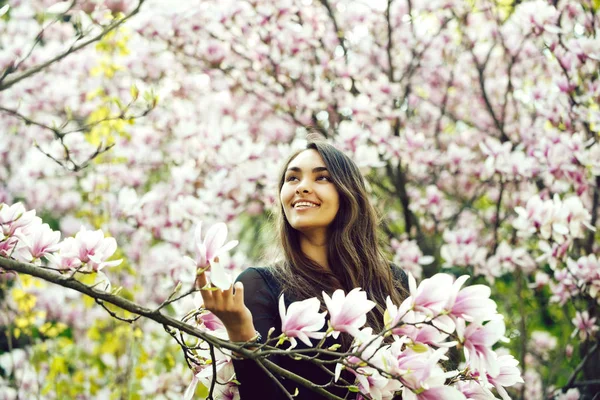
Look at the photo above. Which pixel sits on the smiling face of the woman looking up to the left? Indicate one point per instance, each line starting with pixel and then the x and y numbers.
pixel 310 199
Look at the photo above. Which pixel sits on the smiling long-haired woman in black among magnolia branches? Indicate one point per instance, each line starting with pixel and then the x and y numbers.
pixel 327 231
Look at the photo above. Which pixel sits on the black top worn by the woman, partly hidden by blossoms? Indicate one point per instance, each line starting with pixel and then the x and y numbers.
pixel 261 296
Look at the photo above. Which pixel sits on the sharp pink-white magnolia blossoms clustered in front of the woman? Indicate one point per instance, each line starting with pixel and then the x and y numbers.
pixel 407 356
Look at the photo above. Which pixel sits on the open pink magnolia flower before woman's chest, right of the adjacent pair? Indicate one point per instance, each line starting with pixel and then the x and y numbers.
pixel 347 313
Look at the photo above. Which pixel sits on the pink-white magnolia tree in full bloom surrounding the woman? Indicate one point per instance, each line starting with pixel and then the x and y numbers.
pixel 475 123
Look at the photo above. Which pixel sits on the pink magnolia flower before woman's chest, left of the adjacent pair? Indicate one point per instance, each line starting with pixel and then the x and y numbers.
pixel 302 320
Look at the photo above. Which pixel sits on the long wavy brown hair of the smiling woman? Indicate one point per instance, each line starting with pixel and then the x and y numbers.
pixel 354 253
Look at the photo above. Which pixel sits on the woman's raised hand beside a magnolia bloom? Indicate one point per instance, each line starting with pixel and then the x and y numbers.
pixel 228 306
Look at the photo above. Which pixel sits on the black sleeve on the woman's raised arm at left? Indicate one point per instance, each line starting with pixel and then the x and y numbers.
pixel 262 303
